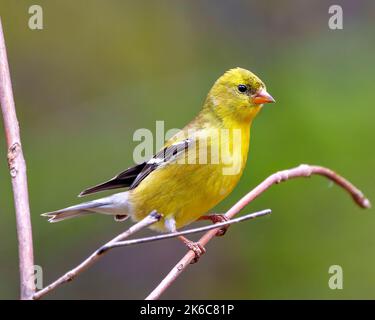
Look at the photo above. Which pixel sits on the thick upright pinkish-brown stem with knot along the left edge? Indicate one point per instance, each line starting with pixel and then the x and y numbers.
pixel 17 168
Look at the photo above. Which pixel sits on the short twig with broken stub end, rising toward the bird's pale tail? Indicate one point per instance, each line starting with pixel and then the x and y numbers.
pixel 70 275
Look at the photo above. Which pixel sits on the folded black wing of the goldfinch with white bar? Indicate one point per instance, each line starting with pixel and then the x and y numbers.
pixel 133 176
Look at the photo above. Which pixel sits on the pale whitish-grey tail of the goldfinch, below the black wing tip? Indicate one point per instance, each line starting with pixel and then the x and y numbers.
pixel 116 205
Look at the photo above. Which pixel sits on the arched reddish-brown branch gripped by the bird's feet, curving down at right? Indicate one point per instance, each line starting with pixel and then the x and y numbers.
pixel 303 170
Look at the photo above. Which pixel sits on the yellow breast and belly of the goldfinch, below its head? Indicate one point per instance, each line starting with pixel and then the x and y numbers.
pixel 191 187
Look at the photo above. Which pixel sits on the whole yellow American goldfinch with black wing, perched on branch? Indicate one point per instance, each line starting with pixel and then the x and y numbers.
pixel 178 182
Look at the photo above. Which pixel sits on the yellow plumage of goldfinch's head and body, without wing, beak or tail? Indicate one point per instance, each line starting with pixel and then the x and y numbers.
pixel 187 191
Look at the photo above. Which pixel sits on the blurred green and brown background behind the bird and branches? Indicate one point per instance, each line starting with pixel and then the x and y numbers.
pixel 100 70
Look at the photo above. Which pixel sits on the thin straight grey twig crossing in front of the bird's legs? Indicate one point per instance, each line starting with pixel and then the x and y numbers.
pixel 189 231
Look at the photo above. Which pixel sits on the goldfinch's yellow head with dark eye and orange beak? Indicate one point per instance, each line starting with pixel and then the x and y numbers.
pixel 238 95
